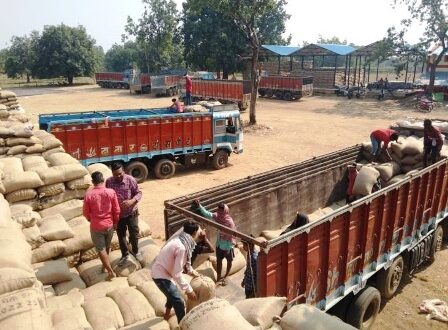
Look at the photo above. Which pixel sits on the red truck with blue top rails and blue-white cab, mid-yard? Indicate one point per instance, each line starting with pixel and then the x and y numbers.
pixel 149 138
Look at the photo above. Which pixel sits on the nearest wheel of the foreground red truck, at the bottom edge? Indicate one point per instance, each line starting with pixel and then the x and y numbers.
pixel 364 308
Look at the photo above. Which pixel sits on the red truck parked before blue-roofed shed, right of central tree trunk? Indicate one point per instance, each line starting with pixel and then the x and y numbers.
pixel 285 88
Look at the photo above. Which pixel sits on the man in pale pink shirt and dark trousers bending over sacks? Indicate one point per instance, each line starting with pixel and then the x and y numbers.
pixel 169 265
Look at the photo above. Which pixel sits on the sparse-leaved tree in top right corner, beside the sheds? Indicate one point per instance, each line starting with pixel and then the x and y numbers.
pixel 433 16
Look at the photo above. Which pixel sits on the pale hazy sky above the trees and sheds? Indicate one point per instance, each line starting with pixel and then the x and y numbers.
pixel 358 21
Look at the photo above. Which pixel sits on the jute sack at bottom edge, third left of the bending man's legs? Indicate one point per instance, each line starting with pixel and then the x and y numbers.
pixel 103 314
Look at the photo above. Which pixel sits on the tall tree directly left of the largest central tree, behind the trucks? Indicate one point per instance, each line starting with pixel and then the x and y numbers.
pixel 156 34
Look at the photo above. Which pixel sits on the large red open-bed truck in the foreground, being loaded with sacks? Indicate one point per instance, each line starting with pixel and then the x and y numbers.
pixel 346 261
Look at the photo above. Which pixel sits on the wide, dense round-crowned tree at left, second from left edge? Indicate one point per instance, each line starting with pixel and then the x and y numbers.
pixel 65 51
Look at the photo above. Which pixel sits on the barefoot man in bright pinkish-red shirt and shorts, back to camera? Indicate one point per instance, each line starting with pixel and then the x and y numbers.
pixel 102 210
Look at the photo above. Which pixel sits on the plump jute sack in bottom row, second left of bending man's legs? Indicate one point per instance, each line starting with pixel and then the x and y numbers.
pixel 132 304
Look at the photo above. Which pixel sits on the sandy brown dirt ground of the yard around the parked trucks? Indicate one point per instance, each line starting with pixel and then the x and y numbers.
pixel 288 132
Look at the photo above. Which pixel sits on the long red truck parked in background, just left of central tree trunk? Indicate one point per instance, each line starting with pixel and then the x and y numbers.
pixel 225 91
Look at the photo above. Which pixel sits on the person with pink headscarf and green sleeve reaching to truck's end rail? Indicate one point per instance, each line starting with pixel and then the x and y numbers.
pixel 224 242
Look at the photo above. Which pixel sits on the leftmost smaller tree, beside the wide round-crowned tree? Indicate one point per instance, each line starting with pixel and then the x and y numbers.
pixel 21 56
